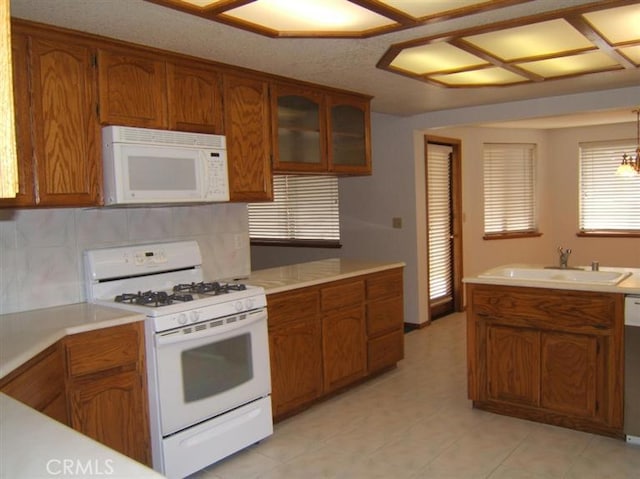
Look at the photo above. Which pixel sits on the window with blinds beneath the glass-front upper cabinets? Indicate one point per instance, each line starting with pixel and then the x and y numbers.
pixel 305 210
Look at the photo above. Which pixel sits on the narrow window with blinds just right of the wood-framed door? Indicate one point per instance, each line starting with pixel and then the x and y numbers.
pixel 509 190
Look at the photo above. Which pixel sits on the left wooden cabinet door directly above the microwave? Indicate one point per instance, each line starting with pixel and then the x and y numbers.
pixel 133 90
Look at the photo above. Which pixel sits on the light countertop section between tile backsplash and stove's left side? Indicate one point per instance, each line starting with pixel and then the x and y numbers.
pixel 24 335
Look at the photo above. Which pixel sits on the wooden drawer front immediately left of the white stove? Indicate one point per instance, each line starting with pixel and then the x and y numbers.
pixel 103 349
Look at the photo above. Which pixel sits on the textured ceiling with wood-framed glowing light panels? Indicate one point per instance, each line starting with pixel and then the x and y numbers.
pixel 412 57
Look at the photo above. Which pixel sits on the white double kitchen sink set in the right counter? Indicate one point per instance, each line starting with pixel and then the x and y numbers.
pixel 575 276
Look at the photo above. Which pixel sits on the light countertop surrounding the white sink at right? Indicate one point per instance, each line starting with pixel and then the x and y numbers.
pixel 629 285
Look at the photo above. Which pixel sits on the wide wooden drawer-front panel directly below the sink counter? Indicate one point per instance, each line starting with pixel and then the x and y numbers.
pixel 551 308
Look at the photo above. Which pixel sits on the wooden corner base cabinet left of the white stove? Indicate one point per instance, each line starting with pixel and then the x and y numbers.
pixel 94 382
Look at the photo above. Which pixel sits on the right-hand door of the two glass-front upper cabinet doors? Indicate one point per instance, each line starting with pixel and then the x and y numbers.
pixel 349 135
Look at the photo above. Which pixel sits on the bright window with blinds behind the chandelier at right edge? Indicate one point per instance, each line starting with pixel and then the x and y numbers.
pixel 608 203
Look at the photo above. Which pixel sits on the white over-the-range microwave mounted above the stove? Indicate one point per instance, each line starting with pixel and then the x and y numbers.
pixel 143 166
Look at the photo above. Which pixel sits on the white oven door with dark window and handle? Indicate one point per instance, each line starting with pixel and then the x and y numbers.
pixel 211 367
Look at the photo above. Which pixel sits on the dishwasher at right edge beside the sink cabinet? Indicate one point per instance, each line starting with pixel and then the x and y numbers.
pixel 632 369
